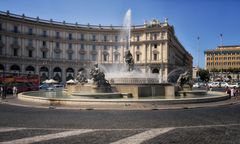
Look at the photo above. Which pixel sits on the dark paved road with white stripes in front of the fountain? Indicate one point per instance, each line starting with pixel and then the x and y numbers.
pixel 218 125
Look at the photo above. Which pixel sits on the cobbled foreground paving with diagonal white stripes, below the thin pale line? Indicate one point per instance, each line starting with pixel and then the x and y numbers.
pixel 208 134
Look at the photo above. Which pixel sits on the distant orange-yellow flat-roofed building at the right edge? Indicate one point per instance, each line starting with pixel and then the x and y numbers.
pixel 223 61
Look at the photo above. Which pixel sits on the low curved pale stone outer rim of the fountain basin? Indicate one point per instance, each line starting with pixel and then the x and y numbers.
pixel 78 101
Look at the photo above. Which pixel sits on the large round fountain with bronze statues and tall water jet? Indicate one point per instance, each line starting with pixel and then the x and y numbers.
pixel 124 83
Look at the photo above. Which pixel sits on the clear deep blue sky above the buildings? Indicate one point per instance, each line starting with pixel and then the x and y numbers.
pixel 206 19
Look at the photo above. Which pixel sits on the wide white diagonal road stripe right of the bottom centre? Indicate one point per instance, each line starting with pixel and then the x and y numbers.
pixel 141 137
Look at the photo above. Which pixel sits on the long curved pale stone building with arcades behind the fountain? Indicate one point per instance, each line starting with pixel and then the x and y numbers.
pixel 59 50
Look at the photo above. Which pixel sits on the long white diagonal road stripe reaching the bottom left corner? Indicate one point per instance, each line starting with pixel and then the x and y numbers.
pixel 48 137
